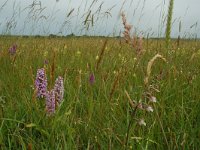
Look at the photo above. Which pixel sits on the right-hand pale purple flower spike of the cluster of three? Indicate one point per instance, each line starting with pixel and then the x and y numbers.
pixel 59 89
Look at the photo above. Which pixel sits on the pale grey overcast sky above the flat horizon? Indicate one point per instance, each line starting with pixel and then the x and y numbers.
pixel 98 17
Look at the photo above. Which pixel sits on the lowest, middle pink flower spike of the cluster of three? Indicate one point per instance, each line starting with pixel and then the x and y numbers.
pixel 50 102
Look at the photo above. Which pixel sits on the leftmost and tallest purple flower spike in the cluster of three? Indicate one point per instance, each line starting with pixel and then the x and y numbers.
pixel 41 83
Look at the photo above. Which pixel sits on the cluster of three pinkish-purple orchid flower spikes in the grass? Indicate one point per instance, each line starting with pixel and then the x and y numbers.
pixel 53 97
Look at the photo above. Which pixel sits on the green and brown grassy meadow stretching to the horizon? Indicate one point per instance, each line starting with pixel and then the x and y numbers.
pixel 97 116
